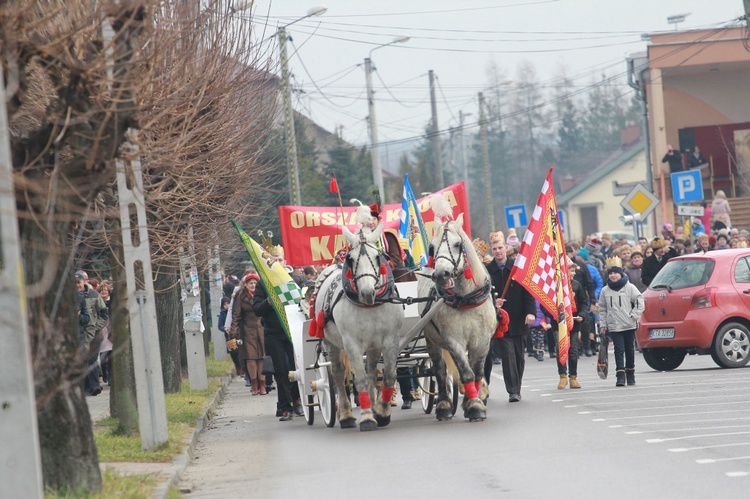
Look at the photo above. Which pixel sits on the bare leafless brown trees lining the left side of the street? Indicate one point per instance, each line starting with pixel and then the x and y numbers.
pixel 199 104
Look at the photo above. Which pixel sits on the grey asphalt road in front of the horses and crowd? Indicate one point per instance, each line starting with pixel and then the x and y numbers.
pixel 679 434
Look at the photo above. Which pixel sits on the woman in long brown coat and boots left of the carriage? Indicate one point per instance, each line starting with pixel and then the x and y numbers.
pixel 246 325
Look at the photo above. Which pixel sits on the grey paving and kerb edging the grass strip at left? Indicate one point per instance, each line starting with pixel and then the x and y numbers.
pixel 170 473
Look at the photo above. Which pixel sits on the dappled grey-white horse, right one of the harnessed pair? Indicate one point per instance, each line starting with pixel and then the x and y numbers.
pixel 467 321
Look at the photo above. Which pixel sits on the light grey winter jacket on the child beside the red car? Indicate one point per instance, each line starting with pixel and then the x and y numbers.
pixel 620 308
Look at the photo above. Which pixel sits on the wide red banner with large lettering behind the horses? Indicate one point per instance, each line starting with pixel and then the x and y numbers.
pixel 311 234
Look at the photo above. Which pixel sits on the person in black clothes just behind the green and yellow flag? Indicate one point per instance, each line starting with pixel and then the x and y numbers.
pixel 280 348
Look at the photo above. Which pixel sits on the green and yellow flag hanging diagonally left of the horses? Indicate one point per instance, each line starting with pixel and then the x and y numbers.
pixel 281 288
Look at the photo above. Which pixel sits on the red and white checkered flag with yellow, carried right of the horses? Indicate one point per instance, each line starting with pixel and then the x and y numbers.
pixel 541 265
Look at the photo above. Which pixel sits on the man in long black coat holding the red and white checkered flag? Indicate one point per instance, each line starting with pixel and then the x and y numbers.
pixel 521 308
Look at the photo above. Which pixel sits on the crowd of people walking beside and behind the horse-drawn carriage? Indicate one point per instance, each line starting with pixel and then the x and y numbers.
pixel 607 280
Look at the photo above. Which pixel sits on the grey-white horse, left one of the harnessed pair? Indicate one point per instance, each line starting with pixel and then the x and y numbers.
pixel 358 322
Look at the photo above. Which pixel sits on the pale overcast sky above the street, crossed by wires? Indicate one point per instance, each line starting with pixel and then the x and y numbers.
pixel 458 40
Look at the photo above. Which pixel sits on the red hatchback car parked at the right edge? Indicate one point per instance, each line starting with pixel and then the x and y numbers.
pixel 698 304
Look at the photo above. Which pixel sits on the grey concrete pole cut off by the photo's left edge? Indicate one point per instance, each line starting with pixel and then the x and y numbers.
pixel 20 457
